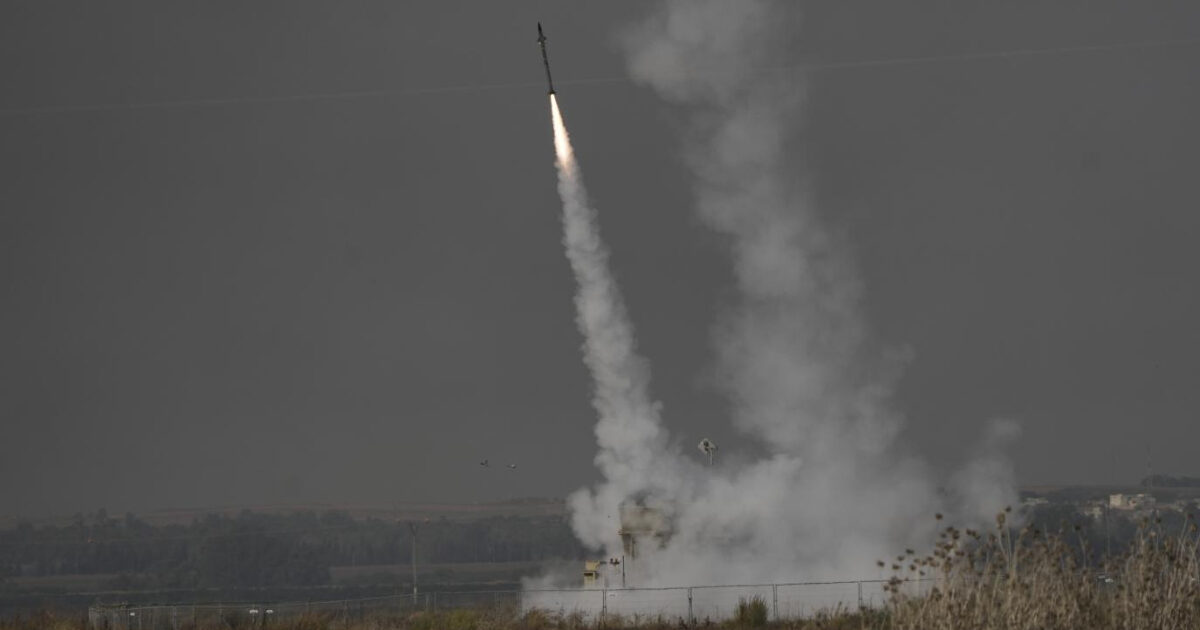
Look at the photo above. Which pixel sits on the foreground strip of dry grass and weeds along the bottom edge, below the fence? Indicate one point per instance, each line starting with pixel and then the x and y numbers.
pixel 1005 579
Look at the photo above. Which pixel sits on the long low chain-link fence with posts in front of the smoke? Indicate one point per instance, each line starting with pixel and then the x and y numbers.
pixel 704 603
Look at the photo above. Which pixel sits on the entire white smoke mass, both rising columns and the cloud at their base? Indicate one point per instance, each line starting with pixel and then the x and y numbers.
pixel 833 495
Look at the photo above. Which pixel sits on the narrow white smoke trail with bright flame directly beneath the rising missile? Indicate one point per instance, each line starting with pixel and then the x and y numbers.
pixel 629 431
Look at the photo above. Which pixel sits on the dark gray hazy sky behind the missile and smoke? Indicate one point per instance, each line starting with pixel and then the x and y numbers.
pixel 357 299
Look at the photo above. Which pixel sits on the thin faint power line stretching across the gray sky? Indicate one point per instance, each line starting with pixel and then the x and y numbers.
pixel 595 81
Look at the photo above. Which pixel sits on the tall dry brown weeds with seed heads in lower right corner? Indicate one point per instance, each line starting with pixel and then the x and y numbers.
pixel 1029 579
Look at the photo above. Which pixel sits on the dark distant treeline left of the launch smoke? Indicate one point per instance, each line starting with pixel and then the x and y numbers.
pixel 261 550
